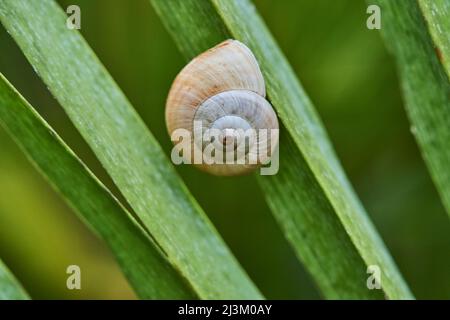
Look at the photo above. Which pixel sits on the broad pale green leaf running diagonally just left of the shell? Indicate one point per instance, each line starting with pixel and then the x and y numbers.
pixel 125 147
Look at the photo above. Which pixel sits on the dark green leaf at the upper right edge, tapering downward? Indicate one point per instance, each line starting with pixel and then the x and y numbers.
pixel 425 84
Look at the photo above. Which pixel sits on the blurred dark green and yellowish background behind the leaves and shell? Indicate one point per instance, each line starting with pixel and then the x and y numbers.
pixel 352 81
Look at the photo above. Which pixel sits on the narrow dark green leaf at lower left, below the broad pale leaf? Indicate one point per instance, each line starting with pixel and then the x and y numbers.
pixel 144 265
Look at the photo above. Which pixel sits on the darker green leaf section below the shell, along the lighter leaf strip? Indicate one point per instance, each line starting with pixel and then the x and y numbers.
pixel 310 224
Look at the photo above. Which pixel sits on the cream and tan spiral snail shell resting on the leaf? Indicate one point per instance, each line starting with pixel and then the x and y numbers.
pixel 223 91
